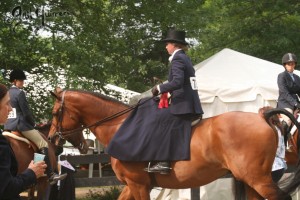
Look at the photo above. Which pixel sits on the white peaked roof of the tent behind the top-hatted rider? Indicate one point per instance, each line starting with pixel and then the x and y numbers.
pixel 236 77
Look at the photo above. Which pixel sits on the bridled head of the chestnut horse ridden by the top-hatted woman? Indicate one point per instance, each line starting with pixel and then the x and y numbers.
pixel 64 122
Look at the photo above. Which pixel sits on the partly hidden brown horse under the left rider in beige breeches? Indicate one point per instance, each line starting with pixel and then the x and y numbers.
pixel 24 154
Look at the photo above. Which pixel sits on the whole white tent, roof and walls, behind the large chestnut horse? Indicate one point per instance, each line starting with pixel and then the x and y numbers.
pixel 230 81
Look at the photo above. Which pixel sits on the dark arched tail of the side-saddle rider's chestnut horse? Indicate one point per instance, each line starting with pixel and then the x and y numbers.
pixel 295 180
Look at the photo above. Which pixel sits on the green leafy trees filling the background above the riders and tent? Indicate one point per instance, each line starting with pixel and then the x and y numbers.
pixel 118 41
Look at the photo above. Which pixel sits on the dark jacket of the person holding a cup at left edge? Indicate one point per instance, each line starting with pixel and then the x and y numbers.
pixel 11 185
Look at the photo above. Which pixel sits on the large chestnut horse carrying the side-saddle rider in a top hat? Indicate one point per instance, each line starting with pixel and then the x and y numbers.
pixel 238 143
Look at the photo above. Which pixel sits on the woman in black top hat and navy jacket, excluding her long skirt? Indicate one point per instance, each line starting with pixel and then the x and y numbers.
pixel 181 85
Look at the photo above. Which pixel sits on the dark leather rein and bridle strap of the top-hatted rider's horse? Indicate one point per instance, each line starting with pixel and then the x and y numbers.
pixel 62 134
